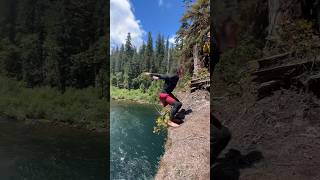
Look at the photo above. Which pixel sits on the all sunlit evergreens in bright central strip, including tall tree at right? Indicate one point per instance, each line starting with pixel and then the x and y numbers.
pixel 127 62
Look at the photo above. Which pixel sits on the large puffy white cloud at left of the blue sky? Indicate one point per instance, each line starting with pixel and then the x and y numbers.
pixel 123 21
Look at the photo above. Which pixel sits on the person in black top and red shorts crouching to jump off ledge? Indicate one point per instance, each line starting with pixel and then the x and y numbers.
pixel 166 97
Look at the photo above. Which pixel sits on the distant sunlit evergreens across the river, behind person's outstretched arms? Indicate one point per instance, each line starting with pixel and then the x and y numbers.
pixel 128 62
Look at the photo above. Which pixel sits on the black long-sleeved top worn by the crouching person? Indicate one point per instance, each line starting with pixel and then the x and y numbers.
pixel 170 82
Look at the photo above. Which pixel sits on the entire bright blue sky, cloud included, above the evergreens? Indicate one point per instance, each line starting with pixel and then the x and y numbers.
pixel 141 16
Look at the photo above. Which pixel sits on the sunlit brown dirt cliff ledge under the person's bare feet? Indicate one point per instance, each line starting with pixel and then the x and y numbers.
pixel 187 150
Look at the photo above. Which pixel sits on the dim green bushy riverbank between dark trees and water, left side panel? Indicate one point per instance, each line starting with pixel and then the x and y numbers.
pixel 80 108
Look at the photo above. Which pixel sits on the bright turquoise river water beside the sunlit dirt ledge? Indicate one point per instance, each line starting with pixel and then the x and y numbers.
pixel 134 149
